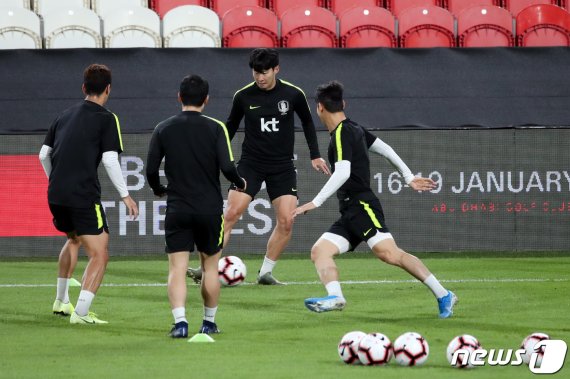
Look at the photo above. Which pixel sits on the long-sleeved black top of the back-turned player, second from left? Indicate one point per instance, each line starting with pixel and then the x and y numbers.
pixel 195 148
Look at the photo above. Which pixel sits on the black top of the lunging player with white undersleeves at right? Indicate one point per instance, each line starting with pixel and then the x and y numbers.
pixel 350 142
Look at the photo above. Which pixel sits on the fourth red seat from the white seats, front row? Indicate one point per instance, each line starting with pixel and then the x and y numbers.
pixel 426 27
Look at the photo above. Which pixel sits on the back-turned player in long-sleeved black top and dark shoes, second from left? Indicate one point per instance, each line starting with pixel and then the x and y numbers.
pixel 195 148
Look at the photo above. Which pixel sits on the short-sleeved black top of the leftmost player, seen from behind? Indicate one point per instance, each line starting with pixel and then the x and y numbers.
pixel 79 137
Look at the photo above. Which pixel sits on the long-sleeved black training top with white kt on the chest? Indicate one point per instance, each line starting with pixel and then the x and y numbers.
pixel 269 122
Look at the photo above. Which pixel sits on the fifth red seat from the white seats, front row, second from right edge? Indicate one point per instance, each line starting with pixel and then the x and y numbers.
pixel 485 26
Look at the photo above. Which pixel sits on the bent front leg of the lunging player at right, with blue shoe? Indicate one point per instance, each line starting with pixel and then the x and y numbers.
pixel 322 255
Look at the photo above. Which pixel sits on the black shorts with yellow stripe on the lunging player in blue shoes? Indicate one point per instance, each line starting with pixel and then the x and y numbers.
pixel 359 222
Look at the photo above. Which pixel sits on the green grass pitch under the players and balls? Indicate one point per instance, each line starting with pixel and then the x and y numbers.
pixel 267 332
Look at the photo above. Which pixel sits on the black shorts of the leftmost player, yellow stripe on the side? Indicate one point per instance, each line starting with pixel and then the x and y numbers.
pixel 90 221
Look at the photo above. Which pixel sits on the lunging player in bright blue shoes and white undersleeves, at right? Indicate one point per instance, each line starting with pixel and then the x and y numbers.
pixel 362 218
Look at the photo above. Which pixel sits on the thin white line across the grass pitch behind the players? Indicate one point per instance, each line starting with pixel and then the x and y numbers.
pixel 500 280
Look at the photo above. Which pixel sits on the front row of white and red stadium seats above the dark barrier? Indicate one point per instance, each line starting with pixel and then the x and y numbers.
pixel 73 24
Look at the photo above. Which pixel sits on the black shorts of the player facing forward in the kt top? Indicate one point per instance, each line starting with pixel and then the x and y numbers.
pixel 279 181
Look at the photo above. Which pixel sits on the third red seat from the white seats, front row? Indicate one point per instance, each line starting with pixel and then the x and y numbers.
pixel 367 27
